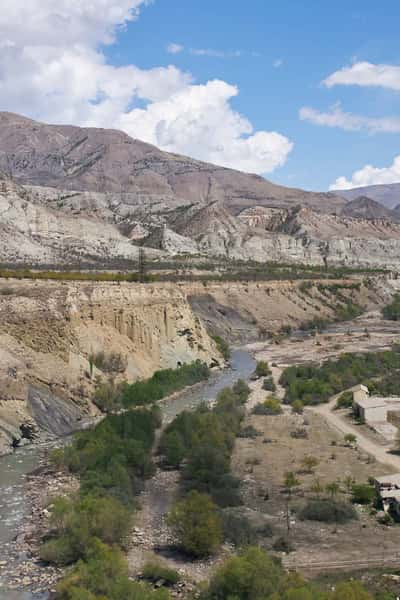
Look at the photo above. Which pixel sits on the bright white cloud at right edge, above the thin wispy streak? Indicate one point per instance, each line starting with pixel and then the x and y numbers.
pixel 366 74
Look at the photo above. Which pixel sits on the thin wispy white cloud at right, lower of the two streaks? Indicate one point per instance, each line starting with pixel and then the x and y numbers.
pixel 336 117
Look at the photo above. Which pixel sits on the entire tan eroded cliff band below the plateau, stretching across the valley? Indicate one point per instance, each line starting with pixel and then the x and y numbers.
pixel 48 330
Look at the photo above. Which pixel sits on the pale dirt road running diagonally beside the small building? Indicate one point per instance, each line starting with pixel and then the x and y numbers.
pixel 379 452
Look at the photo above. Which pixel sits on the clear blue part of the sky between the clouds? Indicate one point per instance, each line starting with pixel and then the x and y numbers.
pixel 313 39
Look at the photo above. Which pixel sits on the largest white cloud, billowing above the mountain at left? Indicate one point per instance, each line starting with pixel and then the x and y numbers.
pixel 52 67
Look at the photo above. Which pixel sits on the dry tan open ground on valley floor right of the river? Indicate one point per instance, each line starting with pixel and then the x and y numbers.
pixel 263 462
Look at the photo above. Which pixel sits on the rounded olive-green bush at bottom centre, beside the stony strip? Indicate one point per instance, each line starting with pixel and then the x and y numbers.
pixel 196 524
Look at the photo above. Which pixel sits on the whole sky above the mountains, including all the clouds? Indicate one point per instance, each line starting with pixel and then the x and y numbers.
pixel 306 93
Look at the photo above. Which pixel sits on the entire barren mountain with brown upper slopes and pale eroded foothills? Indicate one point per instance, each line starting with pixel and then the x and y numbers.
pixel 73 195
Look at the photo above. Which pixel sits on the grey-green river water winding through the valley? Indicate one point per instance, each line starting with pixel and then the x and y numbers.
pixel 14 505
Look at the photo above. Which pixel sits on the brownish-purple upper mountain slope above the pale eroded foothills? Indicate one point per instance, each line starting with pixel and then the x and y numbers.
pixel 102 160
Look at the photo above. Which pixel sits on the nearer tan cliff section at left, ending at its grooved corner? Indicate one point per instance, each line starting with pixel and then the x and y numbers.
pixel 48 331
